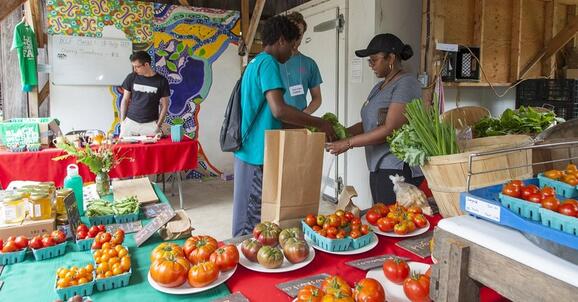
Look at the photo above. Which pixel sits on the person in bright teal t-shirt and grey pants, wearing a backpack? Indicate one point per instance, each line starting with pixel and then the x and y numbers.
pixel 262 109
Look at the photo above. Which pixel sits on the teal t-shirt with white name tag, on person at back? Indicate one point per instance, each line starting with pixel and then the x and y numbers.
pixel 299 69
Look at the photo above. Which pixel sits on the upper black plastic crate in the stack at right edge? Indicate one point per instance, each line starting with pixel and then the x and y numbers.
pixel 544 90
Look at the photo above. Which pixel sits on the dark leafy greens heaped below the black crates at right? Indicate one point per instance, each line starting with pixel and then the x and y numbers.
pixel 525 120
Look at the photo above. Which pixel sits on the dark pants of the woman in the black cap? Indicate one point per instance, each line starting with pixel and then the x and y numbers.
pixel 382 187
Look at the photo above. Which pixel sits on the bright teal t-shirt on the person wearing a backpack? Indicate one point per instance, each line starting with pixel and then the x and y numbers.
pixel 261 75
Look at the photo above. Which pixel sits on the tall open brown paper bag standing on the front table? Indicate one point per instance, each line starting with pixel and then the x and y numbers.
pixel 292 173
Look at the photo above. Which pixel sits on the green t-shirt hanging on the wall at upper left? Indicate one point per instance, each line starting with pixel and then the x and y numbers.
pixel 25 43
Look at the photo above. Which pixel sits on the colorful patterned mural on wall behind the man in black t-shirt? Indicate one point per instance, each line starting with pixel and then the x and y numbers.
pixel 183 42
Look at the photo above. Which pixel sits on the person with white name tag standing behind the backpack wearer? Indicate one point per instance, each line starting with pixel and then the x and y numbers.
pixel 301 74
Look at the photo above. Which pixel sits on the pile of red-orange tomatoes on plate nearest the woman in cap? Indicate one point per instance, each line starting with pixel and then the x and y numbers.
pixel 396 218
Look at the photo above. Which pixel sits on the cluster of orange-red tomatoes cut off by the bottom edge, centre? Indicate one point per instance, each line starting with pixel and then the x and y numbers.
pixel 335 288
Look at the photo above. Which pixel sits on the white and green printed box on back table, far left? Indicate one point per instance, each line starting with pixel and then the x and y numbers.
pixel 29 131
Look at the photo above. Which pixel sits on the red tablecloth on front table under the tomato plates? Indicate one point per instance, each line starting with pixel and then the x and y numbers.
pixel 261 286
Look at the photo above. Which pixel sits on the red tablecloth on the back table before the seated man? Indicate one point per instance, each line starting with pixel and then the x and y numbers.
pixel 161 157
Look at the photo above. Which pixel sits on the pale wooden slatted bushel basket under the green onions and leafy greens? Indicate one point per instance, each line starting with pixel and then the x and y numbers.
pixel 447 175
